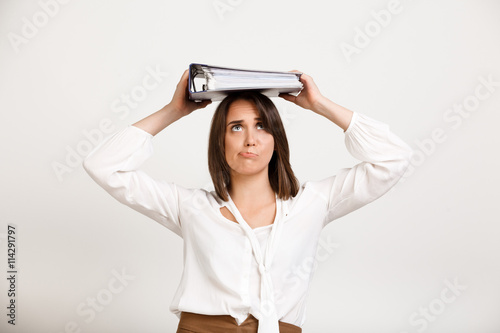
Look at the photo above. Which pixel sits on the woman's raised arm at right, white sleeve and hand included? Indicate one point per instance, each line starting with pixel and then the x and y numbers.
pixel 385 157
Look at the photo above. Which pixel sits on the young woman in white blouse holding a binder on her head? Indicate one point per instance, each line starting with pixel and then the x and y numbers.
pixel 244 240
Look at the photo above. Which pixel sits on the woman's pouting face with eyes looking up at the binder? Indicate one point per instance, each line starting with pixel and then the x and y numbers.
pixel 245 133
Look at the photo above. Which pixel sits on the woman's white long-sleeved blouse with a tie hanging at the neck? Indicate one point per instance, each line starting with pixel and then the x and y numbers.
pixel 230 268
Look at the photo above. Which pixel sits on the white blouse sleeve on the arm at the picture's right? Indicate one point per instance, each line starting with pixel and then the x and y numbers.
pixel 385 158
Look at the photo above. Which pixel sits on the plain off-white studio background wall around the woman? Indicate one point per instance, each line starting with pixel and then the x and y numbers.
pixel 393 256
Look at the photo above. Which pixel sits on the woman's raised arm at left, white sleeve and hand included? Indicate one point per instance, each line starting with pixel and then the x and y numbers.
pixel 115 163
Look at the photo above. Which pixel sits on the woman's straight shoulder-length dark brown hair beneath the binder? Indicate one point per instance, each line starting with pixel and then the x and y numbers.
pixel 281 176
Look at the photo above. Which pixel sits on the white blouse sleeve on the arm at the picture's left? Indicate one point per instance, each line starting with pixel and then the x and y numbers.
pixel 114 165
